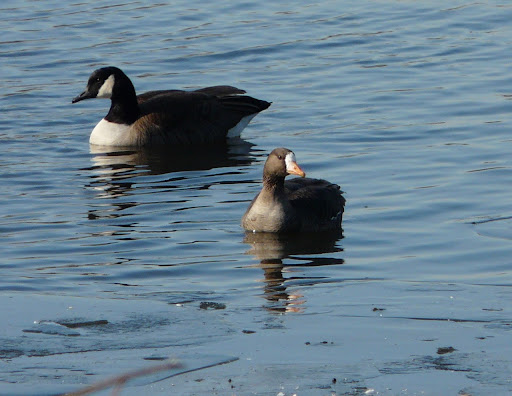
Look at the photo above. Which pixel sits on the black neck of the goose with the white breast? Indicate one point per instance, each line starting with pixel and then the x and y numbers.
pixel 124 108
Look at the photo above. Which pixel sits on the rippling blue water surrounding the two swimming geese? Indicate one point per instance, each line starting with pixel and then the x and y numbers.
pixel 406 105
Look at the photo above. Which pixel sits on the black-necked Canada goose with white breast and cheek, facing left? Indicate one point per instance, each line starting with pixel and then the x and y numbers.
pixel 204 116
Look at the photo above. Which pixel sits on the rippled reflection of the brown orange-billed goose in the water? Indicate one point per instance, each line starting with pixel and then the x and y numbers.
pixel 272 248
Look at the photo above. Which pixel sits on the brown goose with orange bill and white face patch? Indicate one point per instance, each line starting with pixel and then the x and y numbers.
pixel 297 205
